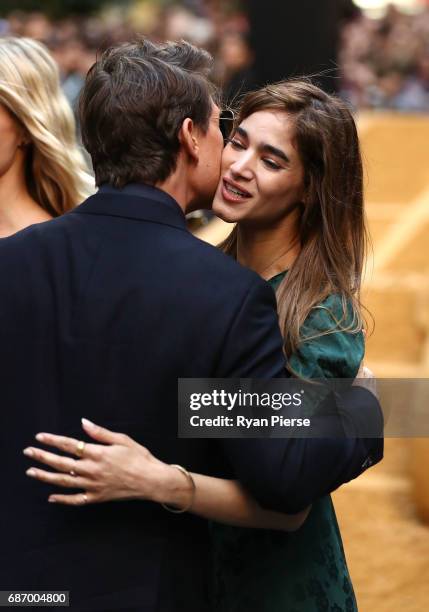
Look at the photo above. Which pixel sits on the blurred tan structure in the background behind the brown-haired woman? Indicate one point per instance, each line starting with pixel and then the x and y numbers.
pixel 382 514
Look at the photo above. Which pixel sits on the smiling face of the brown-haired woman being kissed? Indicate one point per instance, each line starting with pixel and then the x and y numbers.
pixel 262 175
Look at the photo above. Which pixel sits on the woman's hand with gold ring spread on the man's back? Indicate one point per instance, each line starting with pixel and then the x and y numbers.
pixel 119 468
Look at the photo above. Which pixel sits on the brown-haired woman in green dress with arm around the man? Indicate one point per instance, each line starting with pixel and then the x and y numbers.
pixel 291 180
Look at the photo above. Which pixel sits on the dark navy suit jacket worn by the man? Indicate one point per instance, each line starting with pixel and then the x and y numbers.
pixel 101 311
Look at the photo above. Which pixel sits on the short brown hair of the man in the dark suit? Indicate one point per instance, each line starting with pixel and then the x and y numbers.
pixel 134 101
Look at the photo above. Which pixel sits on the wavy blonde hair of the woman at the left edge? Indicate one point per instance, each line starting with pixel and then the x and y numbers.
pixel 56 173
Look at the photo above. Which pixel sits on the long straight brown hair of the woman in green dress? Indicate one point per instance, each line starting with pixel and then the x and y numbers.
pixel 332 229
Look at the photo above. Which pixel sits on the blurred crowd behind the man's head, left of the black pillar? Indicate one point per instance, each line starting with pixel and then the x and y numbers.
pixel 74 40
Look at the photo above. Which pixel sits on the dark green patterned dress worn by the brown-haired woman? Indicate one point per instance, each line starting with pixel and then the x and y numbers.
pixel 256 570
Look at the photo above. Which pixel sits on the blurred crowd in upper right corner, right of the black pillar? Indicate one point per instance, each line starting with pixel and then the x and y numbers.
pixel 385 62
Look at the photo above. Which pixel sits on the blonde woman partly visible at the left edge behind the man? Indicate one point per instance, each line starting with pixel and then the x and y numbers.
pixel 42 171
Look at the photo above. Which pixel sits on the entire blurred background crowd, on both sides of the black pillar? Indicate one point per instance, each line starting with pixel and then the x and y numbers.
pixel 384 62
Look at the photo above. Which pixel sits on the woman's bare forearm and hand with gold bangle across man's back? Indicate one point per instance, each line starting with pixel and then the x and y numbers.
pixel 120 468
